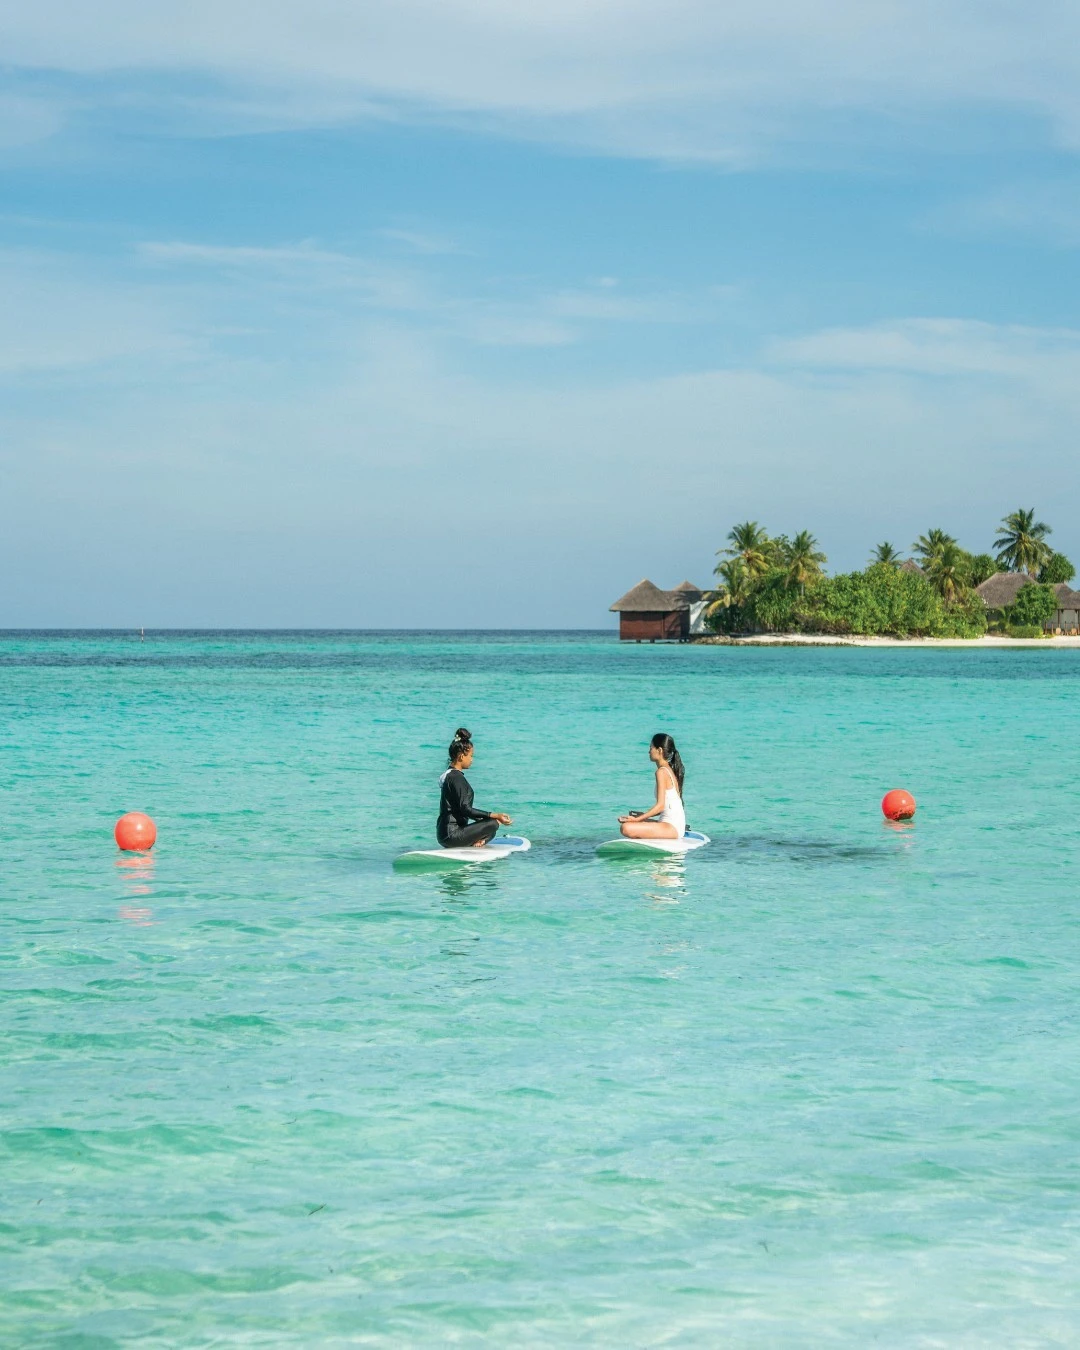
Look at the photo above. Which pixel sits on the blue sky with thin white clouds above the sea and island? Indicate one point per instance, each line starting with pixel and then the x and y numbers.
pixel 464 314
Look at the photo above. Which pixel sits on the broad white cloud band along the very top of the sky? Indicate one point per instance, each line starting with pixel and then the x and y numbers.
pixel 689 79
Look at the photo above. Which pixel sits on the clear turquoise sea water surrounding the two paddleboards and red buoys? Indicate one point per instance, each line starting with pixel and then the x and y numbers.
pixel 815 1085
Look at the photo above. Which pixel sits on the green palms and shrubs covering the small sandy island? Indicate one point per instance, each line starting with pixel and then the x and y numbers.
pixel 778 585
